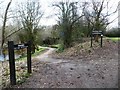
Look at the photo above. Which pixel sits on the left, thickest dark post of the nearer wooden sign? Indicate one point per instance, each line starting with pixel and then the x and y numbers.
pixel 12 62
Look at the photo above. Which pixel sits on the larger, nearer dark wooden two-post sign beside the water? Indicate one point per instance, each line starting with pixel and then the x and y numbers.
pixel 11 48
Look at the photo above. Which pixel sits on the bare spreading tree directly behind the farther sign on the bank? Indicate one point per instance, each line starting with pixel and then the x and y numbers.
pixel 97 16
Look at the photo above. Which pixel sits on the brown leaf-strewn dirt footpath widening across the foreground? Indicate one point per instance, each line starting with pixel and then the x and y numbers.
pixel 98 70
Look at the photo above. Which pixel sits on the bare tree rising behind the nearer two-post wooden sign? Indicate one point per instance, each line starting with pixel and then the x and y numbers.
pixel 30 15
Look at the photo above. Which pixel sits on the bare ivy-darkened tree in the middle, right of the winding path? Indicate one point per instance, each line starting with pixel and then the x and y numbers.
pixel 67 18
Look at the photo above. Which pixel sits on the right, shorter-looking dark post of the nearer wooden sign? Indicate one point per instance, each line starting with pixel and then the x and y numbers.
pixel 29 57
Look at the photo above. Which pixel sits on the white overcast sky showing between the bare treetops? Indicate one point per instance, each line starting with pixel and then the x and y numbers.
pixel 49 19
